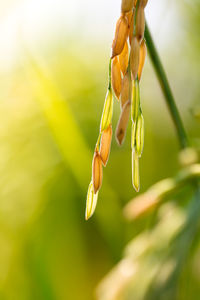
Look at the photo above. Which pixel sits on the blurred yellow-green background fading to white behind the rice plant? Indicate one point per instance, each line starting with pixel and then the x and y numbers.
pixel 54 59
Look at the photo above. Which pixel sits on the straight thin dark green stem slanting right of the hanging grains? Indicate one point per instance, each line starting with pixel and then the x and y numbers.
pixel 166 89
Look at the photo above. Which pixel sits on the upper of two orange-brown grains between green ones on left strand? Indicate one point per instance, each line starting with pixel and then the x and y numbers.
pixel 105 144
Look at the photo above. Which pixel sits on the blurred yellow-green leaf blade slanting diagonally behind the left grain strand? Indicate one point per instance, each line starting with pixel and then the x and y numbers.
pixel 74 150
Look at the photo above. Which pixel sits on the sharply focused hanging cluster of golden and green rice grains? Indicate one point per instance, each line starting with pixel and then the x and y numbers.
pixel 125 70
